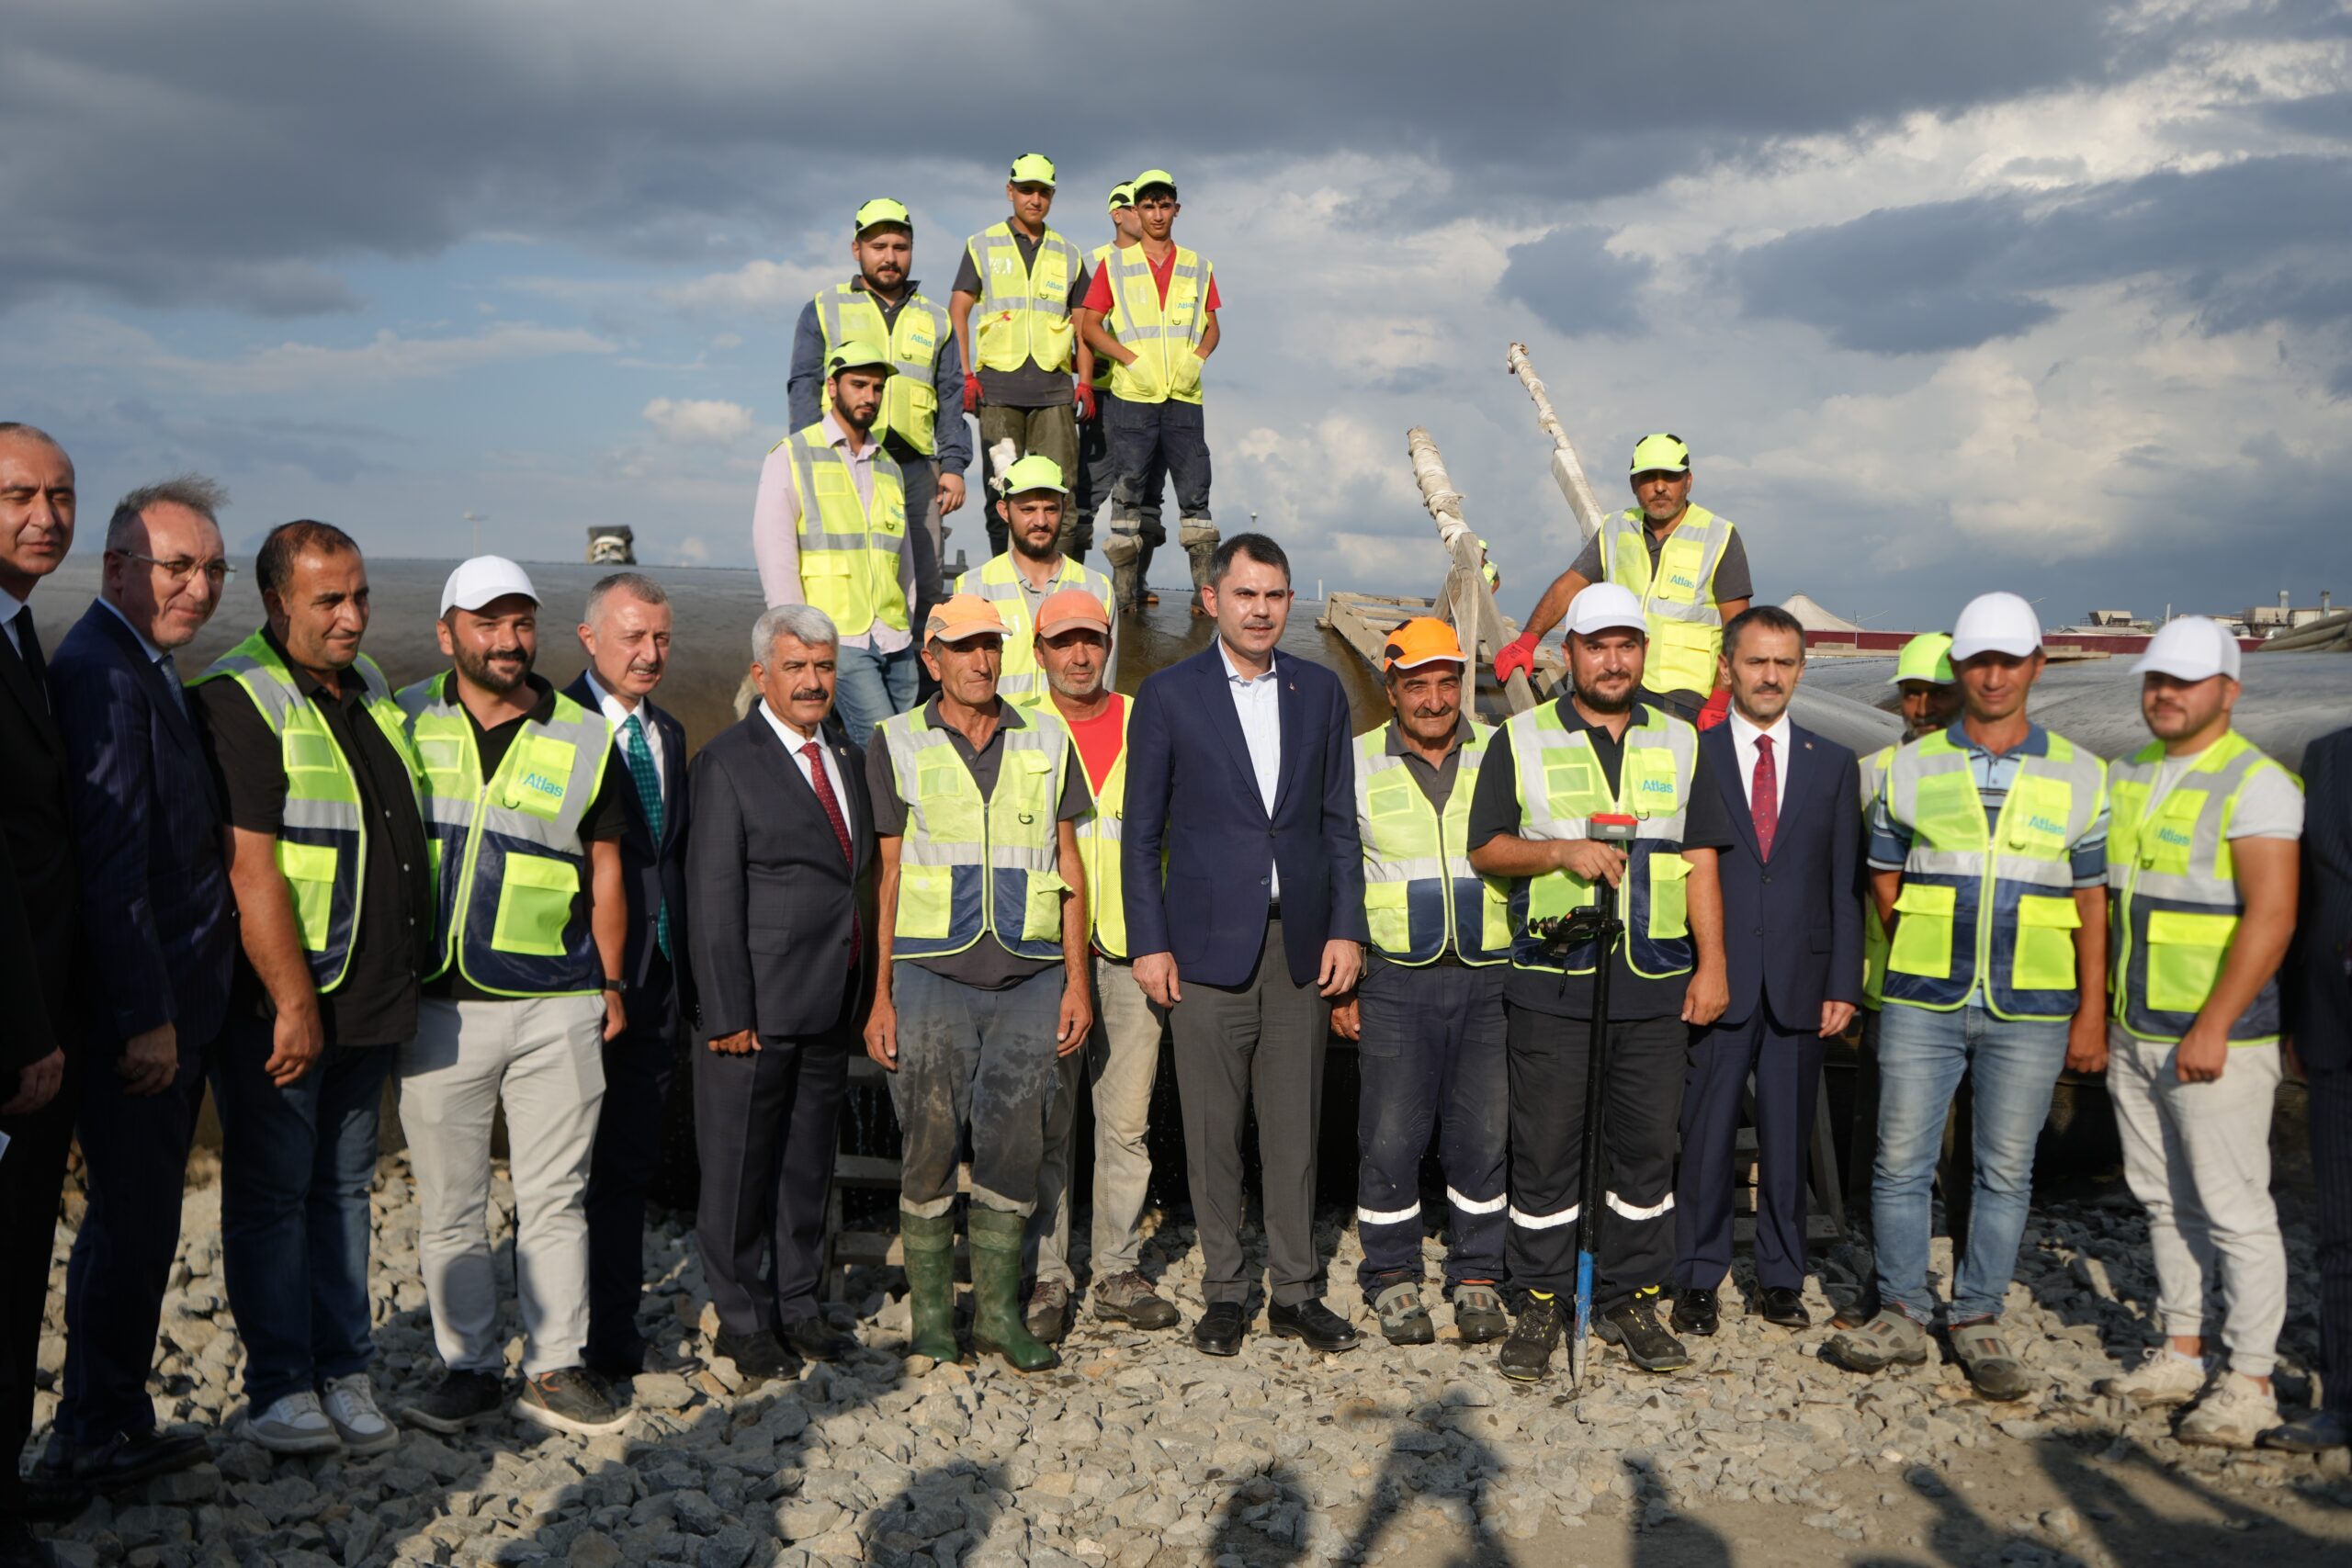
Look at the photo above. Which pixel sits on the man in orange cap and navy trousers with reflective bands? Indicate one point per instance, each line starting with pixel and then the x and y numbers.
pixel 1429 1014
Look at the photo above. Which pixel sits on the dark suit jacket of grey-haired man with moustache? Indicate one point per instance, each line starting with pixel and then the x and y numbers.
pixel 775 904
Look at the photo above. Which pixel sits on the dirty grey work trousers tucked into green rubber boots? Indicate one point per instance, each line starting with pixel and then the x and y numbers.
pixel 975 1061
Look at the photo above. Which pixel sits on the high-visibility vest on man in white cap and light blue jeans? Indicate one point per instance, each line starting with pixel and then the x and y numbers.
pixel 1989 902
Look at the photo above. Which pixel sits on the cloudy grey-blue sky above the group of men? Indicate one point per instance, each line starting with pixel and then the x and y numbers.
pixel 1944 297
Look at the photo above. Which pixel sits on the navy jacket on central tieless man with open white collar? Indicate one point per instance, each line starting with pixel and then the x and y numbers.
pixel 1194 793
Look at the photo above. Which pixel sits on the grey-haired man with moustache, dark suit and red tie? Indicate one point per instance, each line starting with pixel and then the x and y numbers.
pixel 782 876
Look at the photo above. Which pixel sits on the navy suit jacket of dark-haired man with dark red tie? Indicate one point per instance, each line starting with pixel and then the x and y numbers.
pixel 1793 925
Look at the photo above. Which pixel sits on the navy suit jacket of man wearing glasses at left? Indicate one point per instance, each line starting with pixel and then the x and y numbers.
pixel 147 836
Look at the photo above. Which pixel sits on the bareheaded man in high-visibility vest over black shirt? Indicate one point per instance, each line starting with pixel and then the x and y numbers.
pixel 335 913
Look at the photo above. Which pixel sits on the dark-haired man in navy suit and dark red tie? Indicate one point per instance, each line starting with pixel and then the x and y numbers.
pixel 1793 951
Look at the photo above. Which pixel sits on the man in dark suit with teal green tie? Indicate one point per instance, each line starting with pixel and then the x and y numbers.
pixel 627 636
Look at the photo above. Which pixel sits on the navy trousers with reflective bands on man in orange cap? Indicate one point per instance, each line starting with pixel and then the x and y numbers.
pixel 1434 1057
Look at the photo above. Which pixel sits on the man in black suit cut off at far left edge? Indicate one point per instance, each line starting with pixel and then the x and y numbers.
pixel 41 937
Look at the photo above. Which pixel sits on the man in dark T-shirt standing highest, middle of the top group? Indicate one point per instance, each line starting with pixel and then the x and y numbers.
pixel 1013 309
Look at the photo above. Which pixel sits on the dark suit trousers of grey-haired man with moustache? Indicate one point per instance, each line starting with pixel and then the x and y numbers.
pixel 766 1132
